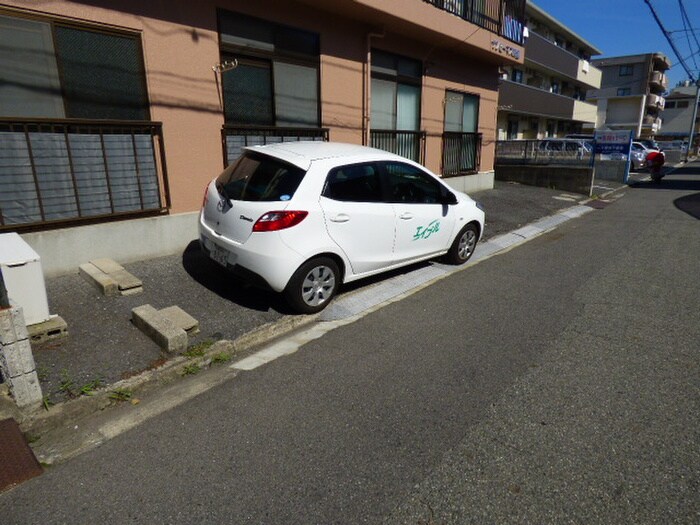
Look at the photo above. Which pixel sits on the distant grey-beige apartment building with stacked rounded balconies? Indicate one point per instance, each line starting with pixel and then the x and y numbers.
pixel 631 93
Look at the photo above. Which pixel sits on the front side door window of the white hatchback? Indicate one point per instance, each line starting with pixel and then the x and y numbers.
pixel 409 184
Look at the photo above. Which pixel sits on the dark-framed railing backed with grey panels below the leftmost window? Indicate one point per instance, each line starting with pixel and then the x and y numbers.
pixel 57 171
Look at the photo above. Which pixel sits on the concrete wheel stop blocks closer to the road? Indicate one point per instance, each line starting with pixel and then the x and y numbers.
pixel 168 328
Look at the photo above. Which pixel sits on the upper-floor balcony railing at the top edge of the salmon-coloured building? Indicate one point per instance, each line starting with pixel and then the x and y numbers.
pixel 502 17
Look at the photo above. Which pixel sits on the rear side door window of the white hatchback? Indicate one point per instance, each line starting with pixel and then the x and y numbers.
pixel 356 183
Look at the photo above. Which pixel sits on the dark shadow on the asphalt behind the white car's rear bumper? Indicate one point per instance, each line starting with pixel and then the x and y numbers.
pixel 226 285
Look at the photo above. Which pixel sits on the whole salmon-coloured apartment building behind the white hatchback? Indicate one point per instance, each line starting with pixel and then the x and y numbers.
pixel 115 115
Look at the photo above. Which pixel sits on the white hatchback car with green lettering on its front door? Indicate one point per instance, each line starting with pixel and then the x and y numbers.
pixel 304 217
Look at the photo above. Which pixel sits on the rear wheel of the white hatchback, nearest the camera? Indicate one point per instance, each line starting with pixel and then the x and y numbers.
pixel 313 285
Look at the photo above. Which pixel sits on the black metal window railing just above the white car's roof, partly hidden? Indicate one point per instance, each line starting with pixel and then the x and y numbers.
pixel 235 138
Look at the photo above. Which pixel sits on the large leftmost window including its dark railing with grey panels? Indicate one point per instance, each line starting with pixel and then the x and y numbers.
pixel 73 144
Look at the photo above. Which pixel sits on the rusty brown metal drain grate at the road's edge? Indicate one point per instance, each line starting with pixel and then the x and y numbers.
pixel 17 461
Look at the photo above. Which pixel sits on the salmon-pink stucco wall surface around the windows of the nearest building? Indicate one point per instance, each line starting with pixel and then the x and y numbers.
pixel 180 46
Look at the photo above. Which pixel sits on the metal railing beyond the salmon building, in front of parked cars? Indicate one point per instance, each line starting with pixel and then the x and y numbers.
pixel 543 152
